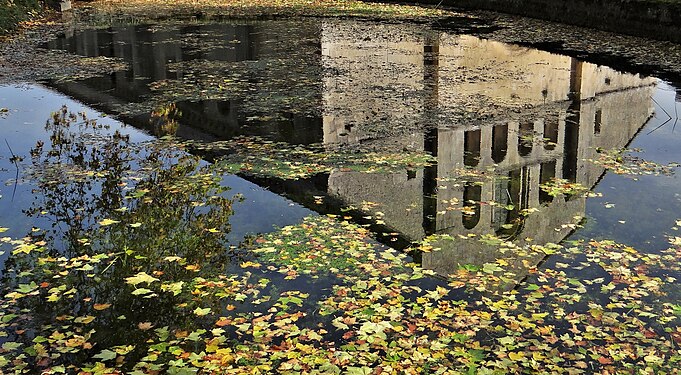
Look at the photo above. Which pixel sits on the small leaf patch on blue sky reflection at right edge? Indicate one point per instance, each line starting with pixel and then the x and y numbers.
pixel 622 161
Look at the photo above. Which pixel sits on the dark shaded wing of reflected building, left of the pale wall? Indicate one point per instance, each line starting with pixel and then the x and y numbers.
pixel 156 54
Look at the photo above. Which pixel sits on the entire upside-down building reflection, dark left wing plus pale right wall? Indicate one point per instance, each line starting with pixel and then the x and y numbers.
pixel 527 115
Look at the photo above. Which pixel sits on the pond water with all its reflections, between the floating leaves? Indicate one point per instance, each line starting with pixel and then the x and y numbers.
pixel 511 131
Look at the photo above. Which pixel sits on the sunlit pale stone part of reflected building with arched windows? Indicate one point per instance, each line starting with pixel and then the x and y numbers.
pixel 560 110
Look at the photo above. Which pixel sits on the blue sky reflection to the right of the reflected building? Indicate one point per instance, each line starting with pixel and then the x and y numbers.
pixel 649 206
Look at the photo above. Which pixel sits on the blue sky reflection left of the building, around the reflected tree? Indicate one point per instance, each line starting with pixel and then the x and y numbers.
pixel 30 107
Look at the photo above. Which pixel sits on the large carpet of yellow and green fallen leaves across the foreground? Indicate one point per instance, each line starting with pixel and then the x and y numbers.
pixel 383 314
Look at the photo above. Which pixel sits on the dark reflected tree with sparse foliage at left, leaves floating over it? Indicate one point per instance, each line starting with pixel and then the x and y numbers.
pixel 117 209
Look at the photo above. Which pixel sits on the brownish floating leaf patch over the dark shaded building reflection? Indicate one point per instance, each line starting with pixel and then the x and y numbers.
pixel 292 89
